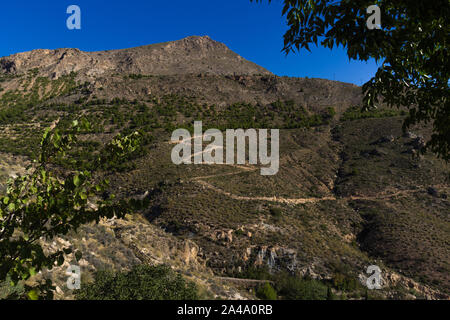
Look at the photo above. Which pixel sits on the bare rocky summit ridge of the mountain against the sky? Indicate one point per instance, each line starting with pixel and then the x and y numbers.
pixel 194 54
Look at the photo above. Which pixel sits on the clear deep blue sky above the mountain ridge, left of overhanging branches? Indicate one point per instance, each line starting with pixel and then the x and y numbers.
pixel 253 30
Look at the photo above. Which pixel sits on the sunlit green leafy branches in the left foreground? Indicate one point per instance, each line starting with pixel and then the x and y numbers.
pixel 48 202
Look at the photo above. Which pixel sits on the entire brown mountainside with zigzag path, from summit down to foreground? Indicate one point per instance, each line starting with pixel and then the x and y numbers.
pixel 352 189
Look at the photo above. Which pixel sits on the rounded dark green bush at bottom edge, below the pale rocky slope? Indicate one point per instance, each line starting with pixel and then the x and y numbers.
pixel 143 282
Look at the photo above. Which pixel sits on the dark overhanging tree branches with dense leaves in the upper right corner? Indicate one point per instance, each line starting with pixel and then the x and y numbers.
pixel 412 47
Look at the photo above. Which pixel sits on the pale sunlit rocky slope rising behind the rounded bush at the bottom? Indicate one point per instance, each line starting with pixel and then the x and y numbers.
pixel 119 244
